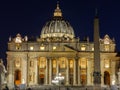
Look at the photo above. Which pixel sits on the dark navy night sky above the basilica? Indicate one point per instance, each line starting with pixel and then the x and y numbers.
pixel 28 17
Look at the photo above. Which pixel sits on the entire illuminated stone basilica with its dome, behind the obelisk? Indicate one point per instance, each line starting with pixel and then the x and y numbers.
pixel 57 50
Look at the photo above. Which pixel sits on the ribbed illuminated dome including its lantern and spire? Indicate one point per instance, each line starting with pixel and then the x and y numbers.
pixel 57 27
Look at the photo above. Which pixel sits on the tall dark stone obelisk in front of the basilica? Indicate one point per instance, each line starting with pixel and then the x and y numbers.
pixel 97 69
